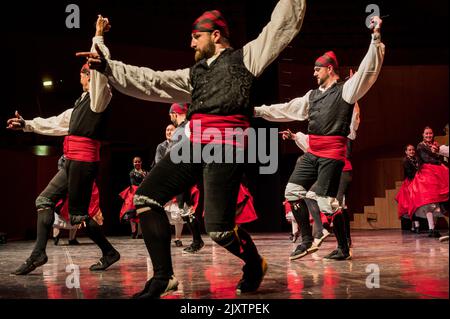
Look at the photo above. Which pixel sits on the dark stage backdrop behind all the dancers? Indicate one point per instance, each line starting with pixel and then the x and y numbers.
pixel 412 90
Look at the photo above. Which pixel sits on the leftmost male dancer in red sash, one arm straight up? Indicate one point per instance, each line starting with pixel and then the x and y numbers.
pixel 81 125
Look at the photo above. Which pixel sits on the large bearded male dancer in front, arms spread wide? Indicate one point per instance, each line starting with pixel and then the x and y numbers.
pixel 218 89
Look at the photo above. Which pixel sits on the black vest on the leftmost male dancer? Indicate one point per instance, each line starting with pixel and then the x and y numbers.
pixel 84 122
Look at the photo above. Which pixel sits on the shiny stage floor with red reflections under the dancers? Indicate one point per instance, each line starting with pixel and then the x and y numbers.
pixel 408 265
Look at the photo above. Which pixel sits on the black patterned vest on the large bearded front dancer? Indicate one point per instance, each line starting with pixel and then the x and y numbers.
pixel 223 88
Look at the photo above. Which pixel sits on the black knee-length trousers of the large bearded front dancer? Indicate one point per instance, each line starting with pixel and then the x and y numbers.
pixel 220 183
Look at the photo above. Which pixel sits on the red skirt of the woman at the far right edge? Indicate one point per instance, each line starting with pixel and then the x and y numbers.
pixel 430 185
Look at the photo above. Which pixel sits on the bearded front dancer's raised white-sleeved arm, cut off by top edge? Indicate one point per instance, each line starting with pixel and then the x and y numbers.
pixel 284 25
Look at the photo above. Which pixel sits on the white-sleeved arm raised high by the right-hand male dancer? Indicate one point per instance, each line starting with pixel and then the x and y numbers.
pixel 369 69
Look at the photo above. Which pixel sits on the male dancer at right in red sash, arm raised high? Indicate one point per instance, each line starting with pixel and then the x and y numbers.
pixel 329 111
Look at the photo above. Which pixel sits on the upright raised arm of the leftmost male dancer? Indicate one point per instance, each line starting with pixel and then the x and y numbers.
pixel 98 86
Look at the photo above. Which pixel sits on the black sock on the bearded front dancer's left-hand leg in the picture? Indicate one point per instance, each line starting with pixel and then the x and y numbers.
pixel 157 235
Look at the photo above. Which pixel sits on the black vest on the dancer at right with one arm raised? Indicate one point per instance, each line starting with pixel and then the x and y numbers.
pixel 329 114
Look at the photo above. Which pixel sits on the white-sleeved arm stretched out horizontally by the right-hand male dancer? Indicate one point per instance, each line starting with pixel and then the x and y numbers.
pixel 294 110
